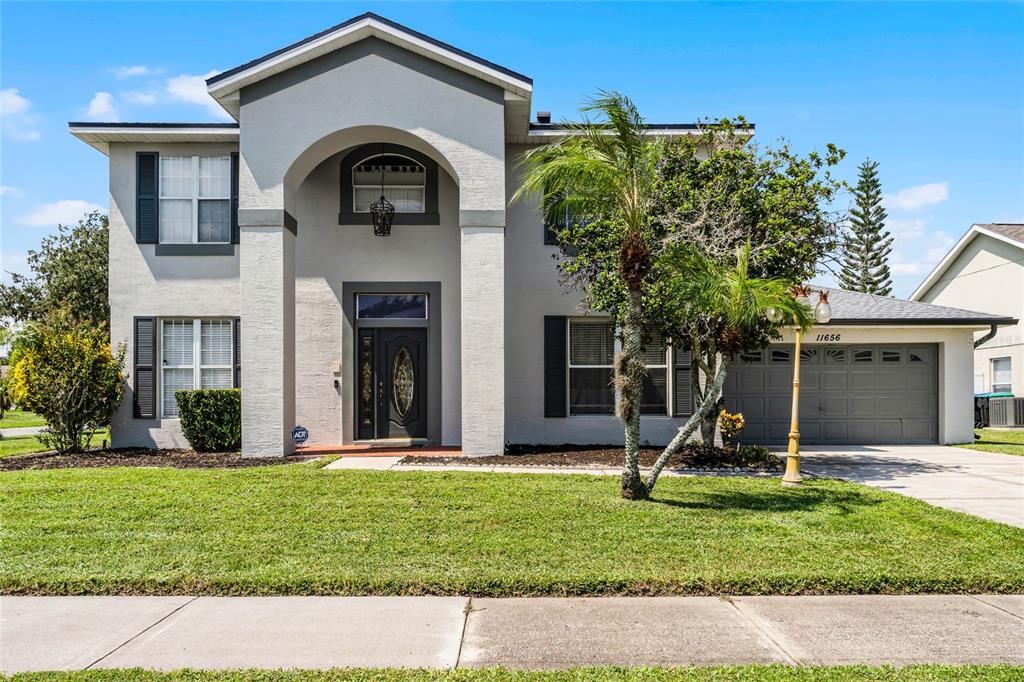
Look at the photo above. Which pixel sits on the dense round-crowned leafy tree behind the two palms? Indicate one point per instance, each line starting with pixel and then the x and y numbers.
pixel 718 192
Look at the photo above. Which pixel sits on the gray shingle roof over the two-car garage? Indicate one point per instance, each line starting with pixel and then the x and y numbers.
pixel 856 309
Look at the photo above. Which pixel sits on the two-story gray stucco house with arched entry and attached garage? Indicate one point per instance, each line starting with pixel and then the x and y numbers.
pixel 243 254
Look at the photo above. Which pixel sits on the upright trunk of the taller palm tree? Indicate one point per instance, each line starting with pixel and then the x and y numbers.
pixel 629 381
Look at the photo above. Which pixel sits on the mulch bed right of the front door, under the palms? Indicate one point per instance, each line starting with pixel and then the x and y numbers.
pixel 603 457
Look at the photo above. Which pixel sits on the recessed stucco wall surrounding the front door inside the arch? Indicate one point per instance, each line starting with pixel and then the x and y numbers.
pixel 327 257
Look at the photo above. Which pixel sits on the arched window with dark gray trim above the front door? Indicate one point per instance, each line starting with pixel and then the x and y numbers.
pixel 407 178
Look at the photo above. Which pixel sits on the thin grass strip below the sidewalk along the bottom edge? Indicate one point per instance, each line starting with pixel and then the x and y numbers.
pixel 716 674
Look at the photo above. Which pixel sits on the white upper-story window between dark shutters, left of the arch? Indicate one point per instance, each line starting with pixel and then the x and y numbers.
pixel 195 200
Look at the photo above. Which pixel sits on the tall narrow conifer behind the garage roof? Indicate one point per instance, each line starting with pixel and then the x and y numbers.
pixel 867 249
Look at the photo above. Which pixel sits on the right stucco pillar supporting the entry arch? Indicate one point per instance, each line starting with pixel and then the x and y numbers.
pixel 483 315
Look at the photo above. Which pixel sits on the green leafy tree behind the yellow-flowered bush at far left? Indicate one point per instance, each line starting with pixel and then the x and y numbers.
pixel 70 269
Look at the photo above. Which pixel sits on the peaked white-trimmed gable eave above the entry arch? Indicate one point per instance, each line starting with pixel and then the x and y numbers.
pixel 226 87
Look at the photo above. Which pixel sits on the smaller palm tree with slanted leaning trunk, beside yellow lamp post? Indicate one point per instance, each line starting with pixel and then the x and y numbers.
pixel 737 307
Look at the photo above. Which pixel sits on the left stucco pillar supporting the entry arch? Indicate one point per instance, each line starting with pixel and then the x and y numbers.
pixel 268 279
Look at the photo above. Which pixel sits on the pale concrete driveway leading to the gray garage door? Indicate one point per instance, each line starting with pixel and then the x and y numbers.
pixel 986 485
